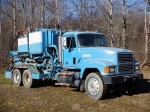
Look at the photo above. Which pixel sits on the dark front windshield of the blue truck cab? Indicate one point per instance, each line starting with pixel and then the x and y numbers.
pixel 91 40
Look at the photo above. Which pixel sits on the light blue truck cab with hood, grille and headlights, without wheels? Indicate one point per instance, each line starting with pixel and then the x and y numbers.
pixel 89 50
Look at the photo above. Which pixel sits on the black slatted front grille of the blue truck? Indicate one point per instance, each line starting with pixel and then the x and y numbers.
pixel 125 62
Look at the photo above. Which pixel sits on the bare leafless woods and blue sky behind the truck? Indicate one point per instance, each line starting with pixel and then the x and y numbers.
pixel 125 23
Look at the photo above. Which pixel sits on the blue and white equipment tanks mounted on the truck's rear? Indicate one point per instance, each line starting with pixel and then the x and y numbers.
pixel 38 40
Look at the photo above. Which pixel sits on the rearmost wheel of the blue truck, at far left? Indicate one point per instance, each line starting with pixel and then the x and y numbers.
pixel 16 77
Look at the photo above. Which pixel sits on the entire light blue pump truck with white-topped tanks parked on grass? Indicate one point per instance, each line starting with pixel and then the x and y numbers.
pixel 75 58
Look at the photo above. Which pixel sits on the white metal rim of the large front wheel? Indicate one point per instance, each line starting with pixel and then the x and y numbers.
pixel 93 86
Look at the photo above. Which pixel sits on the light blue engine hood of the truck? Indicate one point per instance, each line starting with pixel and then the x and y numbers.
pixel 102 53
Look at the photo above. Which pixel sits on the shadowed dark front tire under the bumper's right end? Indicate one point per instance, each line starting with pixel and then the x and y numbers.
pixel 130 87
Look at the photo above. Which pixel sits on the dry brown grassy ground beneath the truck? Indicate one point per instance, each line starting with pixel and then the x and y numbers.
pixel 67 99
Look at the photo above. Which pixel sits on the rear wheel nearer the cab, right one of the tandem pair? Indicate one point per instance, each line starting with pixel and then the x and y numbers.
pixel 28 82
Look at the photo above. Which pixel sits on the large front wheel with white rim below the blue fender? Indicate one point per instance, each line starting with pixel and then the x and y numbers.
pixel 95 87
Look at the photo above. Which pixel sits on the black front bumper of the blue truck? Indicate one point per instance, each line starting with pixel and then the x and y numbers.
pixel 121 78
